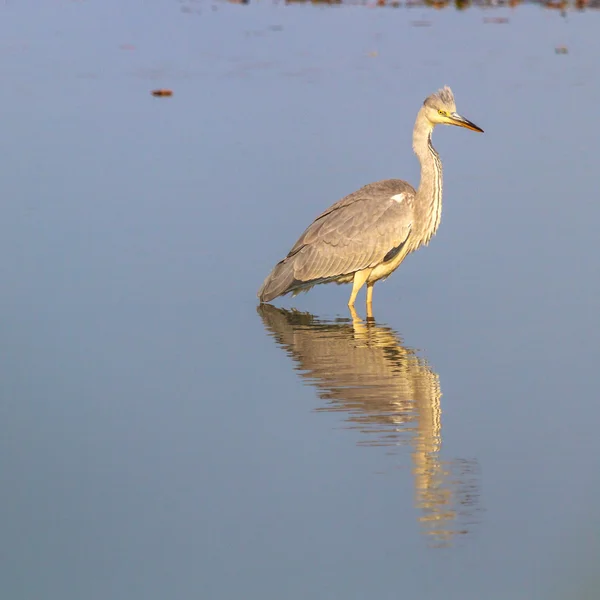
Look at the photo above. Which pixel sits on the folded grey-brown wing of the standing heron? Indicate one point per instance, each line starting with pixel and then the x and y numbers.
pixel 357 232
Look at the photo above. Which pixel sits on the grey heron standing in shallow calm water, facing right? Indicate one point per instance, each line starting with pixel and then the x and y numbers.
pixel 365 236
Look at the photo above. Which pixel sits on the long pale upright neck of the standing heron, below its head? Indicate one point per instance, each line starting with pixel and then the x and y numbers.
pixel 429 195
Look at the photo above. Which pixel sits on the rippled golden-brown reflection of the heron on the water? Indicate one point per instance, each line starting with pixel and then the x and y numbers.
pixel 390 395
